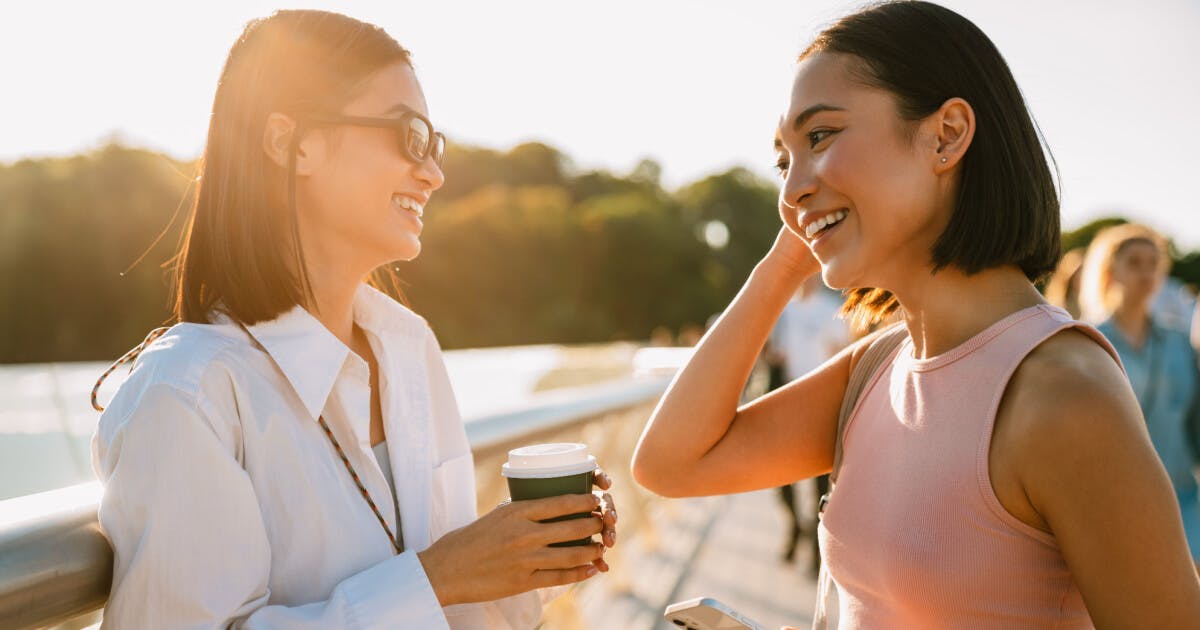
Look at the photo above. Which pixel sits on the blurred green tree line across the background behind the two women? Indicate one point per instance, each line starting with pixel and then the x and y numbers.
pixel 519 248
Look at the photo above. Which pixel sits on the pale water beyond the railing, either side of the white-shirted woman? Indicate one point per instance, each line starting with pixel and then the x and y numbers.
pixel 47 421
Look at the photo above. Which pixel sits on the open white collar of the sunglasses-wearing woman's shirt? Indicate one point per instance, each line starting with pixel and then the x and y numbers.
pixel 311 357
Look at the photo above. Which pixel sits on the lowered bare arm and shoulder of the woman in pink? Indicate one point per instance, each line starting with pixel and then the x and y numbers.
pixel 1090 471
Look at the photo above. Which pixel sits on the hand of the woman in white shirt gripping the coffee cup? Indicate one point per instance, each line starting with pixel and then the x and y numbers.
pixel 507 551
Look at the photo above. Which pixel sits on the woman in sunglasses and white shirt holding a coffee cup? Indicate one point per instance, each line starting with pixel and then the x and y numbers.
pixel 290 454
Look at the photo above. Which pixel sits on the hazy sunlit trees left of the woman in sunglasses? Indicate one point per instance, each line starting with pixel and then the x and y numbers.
pixel 71 227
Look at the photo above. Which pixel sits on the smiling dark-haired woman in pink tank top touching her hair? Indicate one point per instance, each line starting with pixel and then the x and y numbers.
pixel 997 471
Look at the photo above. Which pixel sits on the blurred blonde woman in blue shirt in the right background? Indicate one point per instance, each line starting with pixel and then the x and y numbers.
pixel 1123 273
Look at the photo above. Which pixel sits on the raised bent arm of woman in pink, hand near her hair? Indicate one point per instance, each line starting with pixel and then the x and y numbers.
pixel 698 441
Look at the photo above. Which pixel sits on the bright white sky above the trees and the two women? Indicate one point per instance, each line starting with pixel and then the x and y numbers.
pixel 697 86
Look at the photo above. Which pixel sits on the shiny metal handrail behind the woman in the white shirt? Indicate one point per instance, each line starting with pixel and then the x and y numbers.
pixel 56 565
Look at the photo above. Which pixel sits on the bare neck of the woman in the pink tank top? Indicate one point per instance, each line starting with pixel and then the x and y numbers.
pixel 950 308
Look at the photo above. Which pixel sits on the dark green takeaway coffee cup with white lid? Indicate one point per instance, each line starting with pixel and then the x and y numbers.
pixel 542 471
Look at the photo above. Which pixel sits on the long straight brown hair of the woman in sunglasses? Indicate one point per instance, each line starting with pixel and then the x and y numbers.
pixel 242 243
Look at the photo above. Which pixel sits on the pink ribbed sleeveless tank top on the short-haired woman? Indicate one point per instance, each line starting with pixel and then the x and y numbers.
pixel 914 535
